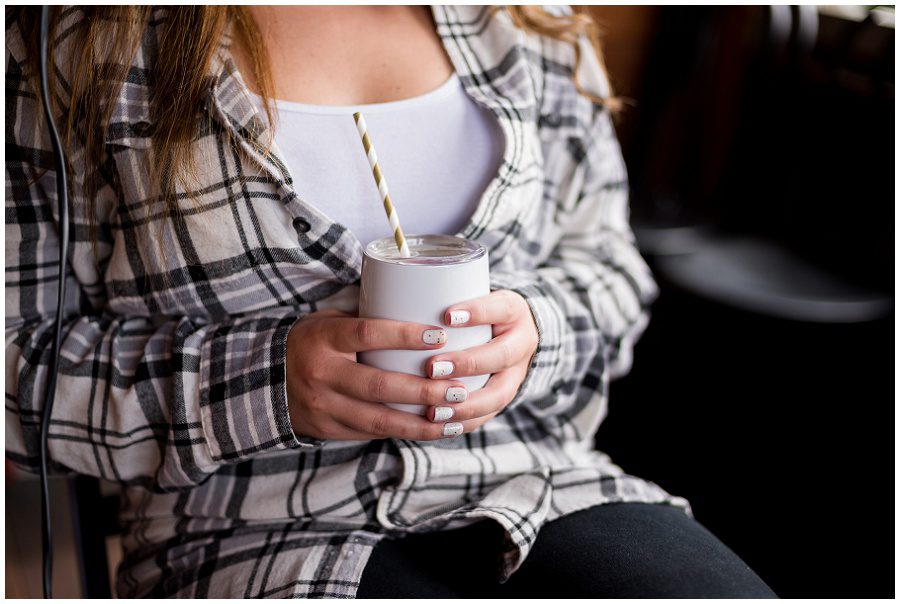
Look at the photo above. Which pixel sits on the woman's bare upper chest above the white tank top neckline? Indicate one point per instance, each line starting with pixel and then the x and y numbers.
pixel 343 55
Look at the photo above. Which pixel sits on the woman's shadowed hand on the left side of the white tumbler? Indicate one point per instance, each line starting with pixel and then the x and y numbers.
pixel 331 396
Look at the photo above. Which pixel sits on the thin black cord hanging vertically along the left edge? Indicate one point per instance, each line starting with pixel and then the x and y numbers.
pixel 62 199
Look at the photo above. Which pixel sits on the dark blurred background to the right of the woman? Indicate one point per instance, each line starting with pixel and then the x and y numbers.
pixel 760 147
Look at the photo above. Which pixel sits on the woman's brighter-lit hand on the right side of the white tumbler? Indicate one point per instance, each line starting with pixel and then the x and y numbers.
pixel 507 356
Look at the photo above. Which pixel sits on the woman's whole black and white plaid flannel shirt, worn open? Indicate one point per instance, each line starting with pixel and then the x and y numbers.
pixel 172 377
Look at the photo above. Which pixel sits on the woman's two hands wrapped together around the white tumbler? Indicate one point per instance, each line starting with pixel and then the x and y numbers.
pixel 331 396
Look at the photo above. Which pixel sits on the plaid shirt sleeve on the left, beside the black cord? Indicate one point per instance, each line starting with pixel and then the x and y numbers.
pixel 157 401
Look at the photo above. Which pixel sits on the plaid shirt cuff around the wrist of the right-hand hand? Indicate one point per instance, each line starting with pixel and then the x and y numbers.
pixel 550 322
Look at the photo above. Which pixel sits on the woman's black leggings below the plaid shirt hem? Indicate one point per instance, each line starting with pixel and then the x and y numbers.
pixel 615 550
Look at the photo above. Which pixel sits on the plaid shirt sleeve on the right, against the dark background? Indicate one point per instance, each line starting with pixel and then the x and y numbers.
pixel 590 298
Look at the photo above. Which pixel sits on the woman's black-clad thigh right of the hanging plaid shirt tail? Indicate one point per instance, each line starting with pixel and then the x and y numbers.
pixel 632 550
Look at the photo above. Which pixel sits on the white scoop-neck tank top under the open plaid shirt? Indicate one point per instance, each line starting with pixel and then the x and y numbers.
pixel 437 151
